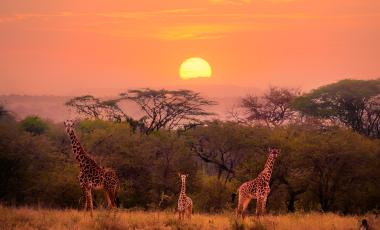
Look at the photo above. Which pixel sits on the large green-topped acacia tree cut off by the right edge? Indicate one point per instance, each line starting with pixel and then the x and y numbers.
pixel 354 103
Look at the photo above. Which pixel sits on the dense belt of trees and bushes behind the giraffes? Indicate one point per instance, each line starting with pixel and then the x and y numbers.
pixel 330 158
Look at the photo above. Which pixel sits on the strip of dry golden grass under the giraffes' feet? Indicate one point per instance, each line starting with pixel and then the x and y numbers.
pixel 31 218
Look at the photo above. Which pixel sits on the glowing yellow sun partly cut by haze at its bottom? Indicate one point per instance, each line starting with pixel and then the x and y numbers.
pixel 194 67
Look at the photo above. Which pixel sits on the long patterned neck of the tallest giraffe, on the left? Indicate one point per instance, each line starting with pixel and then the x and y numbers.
pixel 80 155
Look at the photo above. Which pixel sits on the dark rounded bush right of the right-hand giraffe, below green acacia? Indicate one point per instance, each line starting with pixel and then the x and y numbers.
pixel 333 162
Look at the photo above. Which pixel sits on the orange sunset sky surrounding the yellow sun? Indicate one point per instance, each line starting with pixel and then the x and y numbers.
pixel 53 47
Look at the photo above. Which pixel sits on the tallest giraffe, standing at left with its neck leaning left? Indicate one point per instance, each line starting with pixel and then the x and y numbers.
pixel 92 176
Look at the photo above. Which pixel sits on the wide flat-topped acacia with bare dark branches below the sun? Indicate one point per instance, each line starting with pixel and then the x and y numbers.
pixel 169 109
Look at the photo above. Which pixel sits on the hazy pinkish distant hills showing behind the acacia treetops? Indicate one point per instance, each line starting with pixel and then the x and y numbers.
pixel 52 106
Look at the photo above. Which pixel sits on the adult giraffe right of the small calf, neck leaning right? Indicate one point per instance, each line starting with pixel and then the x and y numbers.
pixel 256 189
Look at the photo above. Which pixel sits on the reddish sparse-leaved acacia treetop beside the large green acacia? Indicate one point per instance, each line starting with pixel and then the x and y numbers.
pixel 272 108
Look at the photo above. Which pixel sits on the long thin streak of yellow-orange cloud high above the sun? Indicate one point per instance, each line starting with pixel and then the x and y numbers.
pixel 177 24
